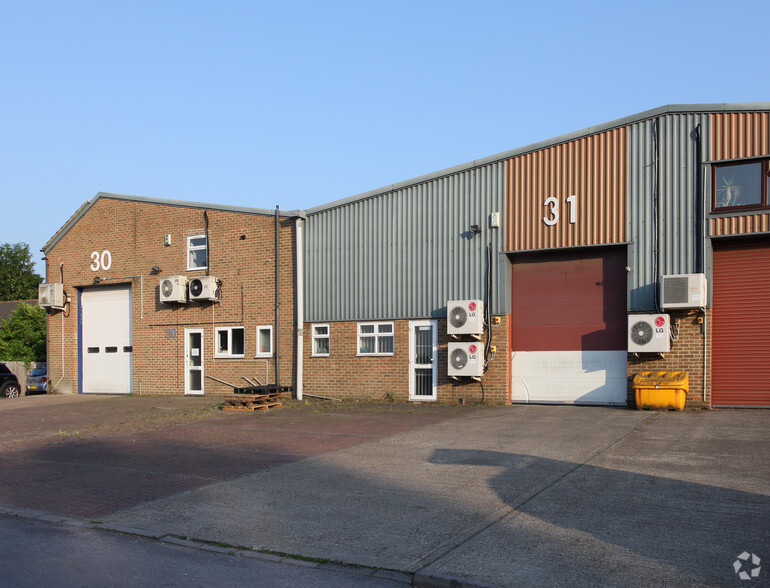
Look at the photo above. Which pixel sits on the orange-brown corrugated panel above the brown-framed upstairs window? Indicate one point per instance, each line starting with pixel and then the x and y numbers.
pixel 740 134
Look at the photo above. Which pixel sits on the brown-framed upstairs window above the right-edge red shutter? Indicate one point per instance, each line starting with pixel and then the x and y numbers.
pixel 739 186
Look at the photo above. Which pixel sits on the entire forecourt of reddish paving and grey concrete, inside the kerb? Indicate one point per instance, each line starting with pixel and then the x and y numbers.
pixel 533 495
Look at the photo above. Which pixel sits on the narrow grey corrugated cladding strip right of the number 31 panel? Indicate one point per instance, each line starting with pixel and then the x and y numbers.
pixel 660 221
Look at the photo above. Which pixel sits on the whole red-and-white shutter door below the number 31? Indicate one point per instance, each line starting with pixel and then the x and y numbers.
pixel 568 327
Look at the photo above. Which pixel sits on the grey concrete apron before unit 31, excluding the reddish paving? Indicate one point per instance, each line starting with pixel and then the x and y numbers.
pixel 532 494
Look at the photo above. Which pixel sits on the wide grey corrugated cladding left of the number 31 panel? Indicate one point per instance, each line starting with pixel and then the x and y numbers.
pixel 404 253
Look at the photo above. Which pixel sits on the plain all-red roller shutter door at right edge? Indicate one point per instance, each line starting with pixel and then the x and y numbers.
pixel 741 322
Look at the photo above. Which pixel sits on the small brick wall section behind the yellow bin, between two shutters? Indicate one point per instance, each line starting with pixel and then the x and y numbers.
pixel 686 355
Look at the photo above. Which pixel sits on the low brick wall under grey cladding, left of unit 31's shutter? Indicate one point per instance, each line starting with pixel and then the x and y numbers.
pixel 346 375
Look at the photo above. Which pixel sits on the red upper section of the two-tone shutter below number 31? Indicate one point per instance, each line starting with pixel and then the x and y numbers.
pixel 569 301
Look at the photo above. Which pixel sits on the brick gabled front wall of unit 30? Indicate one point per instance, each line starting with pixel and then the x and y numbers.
pixel 241 255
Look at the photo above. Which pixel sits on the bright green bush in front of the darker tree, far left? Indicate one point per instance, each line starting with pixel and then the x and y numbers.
pixel 22 335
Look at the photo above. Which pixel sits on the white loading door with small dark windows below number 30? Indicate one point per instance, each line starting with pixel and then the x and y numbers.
pixel 105 347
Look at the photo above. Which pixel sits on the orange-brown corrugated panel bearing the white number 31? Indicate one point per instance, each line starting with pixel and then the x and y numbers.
pixel 593 170
